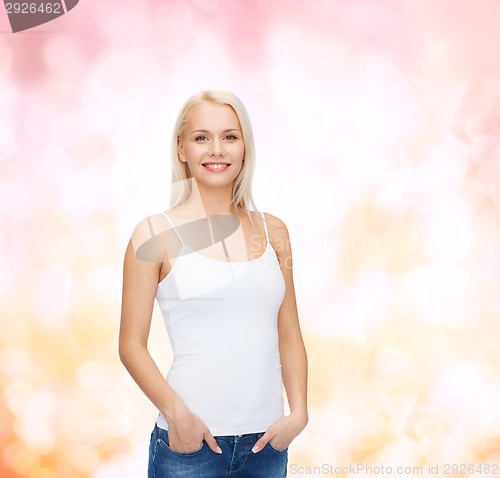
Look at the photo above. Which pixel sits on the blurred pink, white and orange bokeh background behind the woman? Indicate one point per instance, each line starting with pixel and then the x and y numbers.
pixel 377 129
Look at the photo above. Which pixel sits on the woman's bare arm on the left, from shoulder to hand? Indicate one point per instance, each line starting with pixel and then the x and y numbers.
pixel 140 281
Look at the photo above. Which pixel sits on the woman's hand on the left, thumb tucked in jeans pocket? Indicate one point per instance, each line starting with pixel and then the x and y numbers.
pixel 186 431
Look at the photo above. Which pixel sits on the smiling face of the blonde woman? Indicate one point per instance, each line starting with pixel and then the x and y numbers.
pixel 212 144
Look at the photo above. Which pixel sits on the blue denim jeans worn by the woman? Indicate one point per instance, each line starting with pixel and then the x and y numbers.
pixel 237 459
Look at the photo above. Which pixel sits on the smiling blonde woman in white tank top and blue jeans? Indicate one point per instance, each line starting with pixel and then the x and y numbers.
pixel 222 276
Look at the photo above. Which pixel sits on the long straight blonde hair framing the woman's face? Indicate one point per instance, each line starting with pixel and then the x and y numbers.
pixel 242 187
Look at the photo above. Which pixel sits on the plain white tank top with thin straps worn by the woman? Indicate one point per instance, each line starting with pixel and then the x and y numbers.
pixel 221 318
